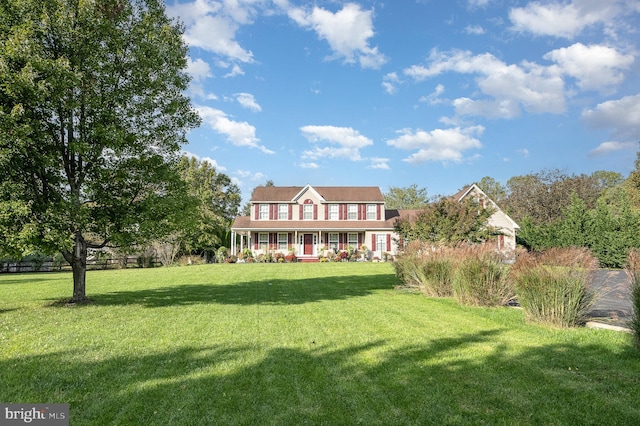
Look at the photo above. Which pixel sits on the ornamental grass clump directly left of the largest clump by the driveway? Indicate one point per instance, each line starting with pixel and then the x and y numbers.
pixel 481 278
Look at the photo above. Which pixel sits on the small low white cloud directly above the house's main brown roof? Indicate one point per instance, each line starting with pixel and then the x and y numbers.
pixel 344 142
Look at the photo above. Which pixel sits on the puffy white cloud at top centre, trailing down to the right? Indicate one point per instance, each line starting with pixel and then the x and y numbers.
pixel 347 31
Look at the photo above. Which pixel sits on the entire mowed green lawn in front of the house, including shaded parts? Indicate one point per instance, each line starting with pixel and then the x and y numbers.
pixel 290 344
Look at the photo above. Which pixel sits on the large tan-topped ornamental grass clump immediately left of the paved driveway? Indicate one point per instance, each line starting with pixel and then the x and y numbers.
pixel 553 287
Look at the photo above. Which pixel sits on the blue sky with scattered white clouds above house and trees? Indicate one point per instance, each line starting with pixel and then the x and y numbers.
pixel 437 93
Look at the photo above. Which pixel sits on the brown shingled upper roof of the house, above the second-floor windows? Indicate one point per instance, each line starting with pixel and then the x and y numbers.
pixel 287 194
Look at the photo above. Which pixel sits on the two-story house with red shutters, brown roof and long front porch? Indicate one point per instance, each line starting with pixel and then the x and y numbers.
pixel 312 220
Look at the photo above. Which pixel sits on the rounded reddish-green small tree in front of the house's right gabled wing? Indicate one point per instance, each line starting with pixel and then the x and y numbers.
pixel 448 221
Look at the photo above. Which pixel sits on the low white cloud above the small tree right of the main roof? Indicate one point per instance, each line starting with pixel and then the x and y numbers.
pixel 439 144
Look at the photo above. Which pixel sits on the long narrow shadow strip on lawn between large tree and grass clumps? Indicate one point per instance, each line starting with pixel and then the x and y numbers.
pixel 270 291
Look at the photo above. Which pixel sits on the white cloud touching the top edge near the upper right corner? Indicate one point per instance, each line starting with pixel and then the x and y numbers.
pixel 563 19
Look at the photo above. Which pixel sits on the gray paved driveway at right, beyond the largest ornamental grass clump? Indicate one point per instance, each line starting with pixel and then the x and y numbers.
pixel 613 306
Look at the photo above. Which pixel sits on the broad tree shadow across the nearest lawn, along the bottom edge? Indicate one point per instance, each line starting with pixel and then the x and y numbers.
pixel 442 382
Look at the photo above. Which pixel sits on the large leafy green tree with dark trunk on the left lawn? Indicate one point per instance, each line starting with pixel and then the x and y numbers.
pixel 92 116
